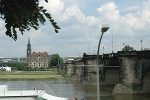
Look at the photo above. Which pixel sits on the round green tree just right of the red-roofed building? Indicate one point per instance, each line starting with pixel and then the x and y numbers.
pixel 55 60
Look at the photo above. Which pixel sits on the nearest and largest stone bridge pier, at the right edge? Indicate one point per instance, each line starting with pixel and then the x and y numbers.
pixel 132 67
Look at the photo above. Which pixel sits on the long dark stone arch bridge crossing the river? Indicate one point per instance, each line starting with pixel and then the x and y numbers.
pixel 129 71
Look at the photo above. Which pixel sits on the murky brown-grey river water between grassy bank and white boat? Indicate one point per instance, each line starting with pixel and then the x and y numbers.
pixel 73 88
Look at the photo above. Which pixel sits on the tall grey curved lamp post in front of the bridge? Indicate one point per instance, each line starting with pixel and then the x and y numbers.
pixel 103 29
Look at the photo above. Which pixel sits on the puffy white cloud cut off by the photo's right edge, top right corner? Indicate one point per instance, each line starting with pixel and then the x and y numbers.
pixel 141 19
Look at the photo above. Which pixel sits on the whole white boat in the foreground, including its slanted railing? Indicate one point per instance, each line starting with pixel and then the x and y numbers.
pixel 46 94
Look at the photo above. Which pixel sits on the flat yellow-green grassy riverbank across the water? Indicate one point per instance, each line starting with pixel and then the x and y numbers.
pixel 29 75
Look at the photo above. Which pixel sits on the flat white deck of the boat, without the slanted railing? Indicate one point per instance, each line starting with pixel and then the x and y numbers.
pixel 26 94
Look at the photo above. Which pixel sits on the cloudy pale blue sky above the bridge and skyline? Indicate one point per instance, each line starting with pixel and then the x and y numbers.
pixel 81 22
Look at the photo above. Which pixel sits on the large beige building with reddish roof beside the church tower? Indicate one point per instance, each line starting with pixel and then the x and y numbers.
pixel 38 60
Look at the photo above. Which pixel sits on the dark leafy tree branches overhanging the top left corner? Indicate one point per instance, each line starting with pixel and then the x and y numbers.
pixel 24 15
